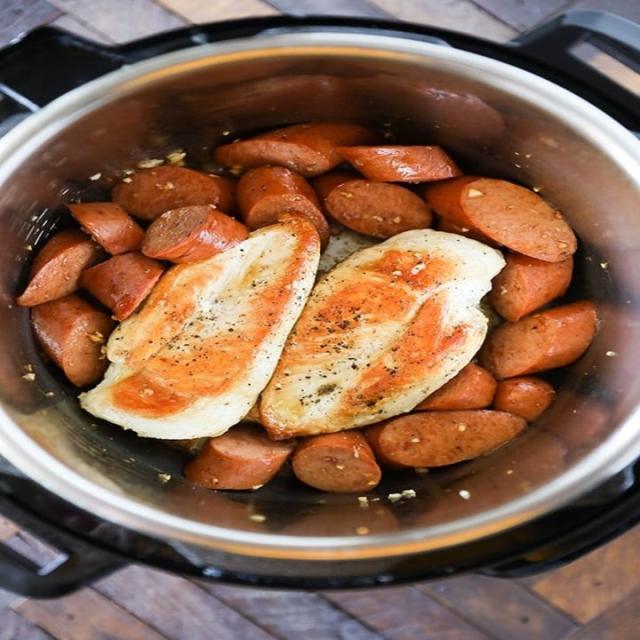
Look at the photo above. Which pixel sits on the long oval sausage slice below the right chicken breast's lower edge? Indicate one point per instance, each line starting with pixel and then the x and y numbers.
pixel 437 438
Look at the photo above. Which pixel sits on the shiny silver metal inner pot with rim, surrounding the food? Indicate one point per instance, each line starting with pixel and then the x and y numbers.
pixel 494 119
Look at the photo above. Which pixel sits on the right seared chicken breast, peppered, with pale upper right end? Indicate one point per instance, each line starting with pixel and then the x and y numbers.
pixel 381 331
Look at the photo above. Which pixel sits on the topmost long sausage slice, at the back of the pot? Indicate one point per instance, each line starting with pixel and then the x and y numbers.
pixel 309 149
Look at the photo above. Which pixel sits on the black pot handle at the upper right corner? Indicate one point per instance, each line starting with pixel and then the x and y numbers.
pixel 560 43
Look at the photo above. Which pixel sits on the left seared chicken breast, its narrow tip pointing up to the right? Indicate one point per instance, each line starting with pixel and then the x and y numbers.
pixel 193 361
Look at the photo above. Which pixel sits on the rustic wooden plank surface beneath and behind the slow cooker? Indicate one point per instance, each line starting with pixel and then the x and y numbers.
pixel 595 598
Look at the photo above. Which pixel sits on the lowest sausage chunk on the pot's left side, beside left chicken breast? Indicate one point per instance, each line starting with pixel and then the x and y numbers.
pixel 72 333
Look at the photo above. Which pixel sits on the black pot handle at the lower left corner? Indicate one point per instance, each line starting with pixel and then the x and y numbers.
pixel 75 564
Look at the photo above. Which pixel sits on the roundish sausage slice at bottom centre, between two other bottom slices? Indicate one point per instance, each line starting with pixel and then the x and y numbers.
pixel 336 462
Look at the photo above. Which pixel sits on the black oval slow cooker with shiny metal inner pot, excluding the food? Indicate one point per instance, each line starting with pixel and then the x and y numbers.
pixel 107 497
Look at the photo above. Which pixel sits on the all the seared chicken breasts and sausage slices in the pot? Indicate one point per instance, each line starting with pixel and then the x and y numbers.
pixel 255 363
